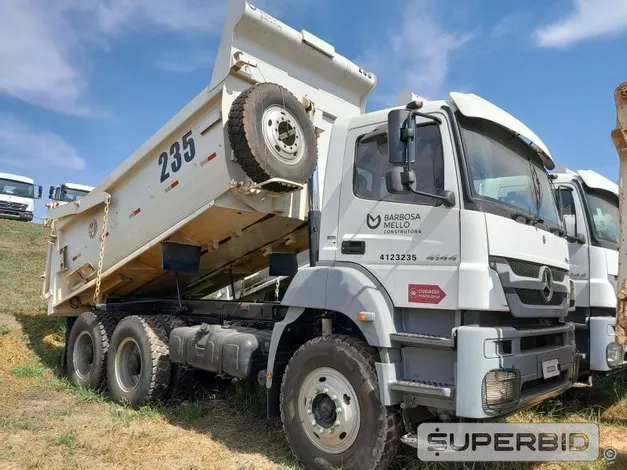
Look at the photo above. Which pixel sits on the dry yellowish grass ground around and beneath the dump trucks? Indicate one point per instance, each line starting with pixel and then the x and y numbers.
pixel 46 422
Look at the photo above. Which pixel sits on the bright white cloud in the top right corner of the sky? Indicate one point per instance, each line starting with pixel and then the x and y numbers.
pixel 589 19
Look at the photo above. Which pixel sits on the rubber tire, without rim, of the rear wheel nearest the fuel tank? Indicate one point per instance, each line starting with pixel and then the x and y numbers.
pixel 155 373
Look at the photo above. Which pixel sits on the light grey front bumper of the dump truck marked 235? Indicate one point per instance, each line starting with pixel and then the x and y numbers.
pixel 484 349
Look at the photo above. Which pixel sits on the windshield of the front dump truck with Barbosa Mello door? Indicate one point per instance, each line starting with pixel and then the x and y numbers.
pixel 506 171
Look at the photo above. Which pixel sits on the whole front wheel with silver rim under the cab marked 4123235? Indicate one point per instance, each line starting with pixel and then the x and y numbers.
pixel 330 407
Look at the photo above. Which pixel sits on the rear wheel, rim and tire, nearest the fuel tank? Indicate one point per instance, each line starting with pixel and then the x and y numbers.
pixel 139 368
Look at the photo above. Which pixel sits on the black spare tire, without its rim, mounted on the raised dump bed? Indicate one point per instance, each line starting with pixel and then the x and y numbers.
pixel 245 131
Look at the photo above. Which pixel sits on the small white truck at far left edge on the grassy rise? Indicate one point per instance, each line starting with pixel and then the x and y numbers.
pixel 17 197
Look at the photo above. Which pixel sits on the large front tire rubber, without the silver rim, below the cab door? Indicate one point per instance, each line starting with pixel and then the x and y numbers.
pixel 381 428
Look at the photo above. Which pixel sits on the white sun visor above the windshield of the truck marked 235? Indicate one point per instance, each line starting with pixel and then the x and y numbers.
pixel 474 106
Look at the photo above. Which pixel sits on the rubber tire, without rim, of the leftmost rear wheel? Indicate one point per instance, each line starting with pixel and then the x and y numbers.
pixel 100 327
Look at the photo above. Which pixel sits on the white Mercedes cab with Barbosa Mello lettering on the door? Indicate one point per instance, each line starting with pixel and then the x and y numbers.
pixel 463 277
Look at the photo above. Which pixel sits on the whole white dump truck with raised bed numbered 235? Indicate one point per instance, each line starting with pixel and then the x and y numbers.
pixel 437 285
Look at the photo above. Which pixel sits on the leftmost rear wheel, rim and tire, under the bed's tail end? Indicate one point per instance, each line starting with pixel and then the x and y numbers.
pixel 87 349
